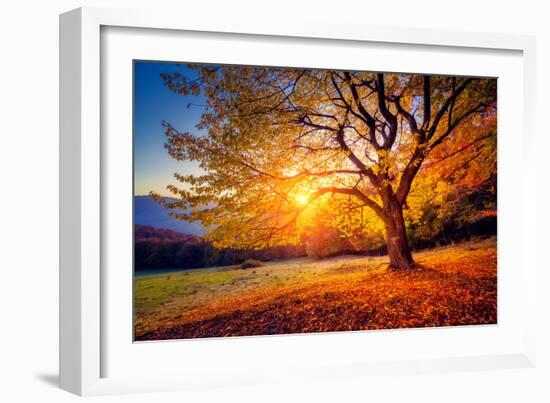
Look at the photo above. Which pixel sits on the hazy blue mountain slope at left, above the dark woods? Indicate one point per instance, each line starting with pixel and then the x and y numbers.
pixel 149 212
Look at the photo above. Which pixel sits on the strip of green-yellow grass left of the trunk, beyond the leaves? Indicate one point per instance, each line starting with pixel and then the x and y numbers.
pixel 171 294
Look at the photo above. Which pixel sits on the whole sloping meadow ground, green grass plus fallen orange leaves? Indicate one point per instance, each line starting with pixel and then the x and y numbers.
pixel 455 285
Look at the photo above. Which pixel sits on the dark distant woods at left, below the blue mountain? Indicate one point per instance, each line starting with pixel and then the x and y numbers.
pixel 157 248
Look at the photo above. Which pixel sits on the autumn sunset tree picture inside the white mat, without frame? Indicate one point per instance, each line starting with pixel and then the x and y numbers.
pixel 275 200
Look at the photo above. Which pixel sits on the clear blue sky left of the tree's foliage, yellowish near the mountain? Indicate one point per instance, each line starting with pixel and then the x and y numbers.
pixel 153 102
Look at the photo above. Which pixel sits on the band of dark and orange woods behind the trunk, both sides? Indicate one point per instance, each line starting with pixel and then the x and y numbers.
pixel 467 216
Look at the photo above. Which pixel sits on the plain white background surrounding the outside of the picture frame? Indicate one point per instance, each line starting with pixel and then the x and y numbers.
pixel 29 198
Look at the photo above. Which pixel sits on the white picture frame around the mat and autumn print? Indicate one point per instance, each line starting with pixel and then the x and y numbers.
pixel 85 344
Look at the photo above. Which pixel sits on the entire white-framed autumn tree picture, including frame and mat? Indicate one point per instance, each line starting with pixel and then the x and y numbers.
pixel 346 190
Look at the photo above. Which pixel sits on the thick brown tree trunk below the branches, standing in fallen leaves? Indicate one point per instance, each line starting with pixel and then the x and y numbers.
pixel 396 238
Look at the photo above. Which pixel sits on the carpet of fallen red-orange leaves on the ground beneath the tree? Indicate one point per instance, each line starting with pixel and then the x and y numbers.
pixel 450 287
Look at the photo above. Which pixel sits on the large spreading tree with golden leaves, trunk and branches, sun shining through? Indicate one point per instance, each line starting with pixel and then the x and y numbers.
pixel 283 143
